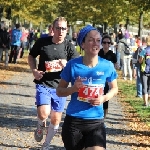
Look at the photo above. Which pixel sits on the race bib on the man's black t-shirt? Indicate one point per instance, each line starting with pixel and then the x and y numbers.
pixel 53 66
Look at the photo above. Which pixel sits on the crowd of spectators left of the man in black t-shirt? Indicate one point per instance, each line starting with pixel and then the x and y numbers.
pixel 13 42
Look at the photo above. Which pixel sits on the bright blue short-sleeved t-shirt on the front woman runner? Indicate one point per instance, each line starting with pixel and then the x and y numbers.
pixel 98 75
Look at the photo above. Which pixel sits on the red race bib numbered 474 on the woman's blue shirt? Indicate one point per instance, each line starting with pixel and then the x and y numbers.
pixel 89 91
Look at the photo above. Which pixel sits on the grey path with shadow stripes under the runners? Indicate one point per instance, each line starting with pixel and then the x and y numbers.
pixel 18 118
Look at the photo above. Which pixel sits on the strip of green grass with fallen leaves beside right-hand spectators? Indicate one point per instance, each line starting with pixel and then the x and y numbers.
pixel 128 91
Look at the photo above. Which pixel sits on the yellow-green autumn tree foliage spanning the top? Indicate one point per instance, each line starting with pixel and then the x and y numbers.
pixel 108 12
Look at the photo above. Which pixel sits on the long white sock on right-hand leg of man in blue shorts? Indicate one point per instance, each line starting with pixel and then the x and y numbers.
pixel 51 132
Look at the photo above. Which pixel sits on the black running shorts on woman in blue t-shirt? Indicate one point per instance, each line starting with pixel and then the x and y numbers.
pixel 82 133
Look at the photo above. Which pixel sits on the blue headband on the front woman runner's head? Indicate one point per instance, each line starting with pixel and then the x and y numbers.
pixel 83 33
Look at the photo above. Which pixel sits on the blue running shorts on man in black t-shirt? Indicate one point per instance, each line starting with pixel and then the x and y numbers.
pixel 47 96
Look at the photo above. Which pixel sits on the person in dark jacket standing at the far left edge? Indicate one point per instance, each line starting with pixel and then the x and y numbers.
pixel 4 43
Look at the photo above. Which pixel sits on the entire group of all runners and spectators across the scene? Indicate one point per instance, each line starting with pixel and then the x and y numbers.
pixel 93 77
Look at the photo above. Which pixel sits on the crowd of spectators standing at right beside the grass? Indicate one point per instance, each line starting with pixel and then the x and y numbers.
pixel 133 58
